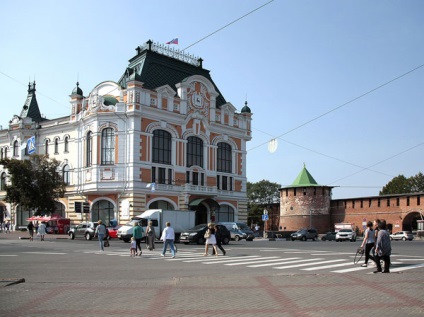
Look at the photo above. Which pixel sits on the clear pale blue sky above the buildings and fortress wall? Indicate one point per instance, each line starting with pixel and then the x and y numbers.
pixel 338 84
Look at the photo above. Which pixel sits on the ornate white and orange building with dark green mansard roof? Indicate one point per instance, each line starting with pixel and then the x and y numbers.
pixel 162 136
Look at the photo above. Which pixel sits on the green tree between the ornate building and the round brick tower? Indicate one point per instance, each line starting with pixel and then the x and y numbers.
pixel 260 195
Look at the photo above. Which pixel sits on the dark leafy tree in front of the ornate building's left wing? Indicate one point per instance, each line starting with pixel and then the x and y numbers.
pixel 35 184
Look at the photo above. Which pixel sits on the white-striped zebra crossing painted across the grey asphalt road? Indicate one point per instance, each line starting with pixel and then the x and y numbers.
pixel 302 260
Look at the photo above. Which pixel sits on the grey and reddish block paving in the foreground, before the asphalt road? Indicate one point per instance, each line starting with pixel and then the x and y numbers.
pixel 341 295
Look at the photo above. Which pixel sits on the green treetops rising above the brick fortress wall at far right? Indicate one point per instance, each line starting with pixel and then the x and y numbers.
pixel 402 185
